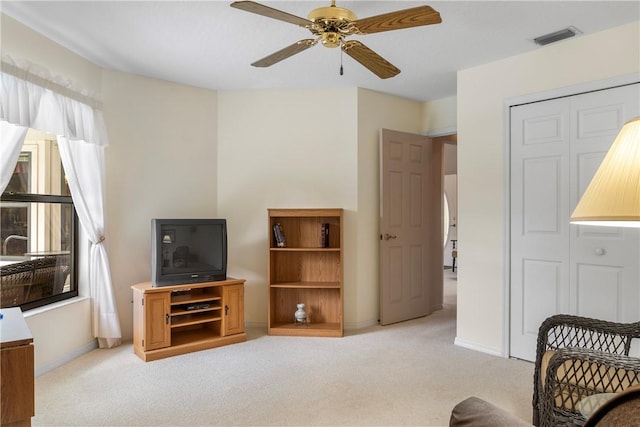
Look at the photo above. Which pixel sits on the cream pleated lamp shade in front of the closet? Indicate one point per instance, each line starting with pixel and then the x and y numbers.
pixel 613 196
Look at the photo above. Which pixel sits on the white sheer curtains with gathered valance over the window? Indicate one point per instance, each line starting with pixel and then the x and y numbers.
pixel 30 99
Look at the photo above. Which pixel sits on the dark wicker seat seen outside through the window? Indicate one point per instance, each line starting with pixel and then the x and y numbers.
pixel 26 281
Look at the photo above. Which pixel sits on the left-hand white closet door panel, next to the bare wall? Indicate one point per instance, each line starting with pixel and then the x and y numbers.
pixel 540 136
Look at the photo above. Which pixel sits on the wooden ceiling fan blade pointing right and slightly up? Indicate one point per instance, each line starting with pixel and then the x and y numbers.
pixel 407 18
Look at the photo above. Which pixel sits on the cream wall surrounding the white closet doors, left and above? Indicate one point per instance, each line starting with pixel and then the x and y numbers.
pixel 482 92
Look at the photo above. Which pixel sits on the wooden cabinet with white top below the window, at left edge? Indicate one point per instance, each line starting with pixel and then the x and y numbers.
pixel 16 370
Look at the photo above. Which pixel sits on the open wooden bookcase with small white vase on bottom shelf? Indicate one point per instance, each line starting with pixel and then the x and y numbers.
pixel 303 271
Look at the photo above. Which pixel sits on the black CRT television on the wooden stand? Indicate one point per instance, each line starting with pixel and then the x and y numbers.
pixel 188 251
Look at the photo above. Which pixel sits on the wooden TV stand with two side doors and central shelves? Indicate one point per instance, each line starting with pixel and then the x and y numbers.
pixel 178 319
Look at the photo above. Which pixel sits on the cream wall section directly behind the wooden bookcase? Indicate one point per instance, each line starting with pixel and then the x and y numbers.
pixel 282 149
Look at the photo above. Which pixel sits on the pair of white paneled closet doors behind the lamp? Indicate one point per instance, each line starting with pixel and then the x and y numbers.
pixel 556 146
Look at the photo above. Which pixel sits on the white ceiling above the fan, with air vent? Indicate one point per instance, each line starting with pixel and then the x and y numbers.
pixel 209 44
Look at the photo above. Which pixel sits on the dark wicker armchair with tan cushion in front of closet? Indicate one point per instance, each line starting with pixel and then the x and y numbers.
pixel 578 357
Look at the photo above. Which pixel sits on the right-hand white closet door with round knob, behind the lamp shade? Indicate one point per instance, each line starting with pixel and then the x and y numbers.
pixel 605 272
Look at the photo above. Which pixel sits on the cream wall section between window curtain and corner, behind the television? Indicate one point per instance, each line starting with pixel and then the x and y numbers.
pixel 161 163
